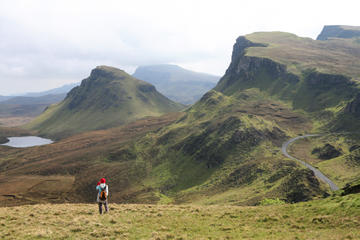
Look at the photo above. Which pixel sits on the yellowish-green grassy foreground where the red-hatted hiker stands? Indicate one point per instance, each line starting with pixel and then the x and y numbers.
pixel 331 218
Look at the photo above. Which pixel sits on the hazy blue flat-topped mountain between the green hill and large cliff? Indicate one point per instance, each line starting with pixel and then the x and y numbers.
pixel 177 83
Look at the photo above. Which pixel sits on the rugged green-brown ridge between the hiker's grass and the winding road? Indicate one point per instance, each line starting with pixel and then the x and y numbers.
pixel 222 150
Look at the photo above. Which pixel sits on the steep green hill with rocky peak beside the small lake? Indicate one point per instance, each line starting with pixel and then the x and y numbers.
pixel 109 97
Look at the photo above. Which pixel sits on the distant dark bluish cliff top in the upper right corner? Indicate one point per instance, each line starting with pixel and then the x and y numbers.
pixel 338 31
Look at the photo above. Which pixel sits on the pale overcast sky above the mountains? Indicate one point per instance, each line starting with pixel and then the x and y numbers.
pixel 48 43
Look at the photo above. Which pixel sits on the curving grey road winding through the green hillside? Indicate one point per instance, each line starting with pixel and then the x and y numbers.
pixel 317 173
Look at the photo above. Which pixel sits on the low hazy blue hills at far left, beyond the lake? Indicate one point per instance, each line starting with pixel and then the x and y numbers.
pixel 28 106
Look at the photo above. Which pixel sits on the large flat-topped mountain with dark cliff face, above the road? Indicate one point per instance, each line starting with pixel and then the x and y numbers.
pixel 302 73
